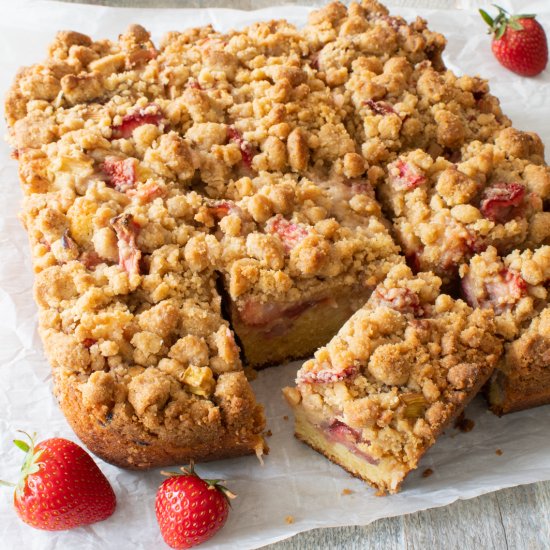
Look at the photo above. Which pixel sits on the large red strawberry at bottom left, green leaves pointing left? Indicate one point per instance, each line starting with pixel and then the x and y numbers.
pixel 61 487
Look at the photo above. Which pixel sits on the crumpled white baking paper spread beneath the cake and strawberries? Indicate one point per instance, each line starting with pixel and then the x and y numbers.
pixel 295 481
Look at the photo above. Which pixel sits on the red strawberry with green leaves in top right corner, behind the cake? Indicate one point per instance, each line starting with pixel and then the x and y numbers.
pixel 519 42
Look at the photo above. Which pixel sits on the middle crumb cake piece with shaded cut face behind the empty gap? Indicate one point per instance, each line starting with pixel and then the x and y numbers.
pixel 298 259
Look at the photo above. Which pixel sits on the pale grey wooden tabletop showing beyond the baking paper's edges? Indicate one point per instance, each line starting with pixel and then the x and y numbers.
pixel 515 519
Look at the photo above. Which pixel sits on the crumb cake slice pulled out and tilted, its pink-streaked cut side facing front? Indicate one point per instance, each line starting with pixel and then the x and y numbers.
pixel 377 396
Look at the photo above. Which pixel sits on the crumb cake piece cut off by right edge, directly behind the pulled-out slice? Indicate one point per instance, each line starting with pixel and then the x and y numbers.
pixel 515 287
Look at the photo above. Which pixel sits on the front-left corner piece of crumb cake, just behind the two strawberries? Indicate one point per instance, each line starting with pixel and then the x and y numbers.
pixel 147 382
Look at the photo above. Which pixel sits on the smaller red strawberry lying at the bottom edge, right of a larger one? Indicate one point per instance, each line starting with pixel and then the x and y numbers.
pixel 190 510
